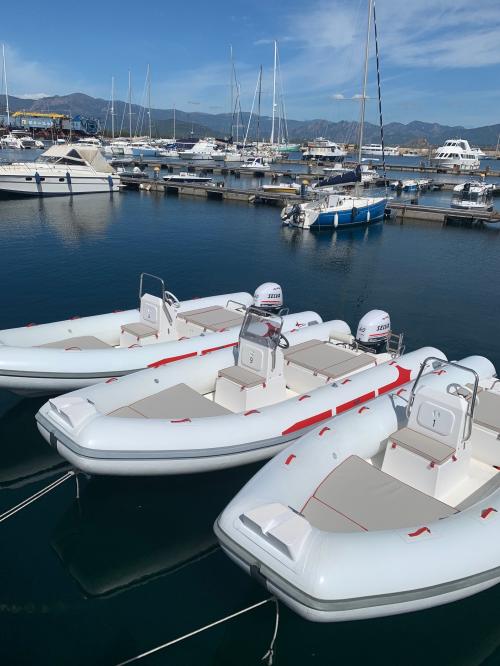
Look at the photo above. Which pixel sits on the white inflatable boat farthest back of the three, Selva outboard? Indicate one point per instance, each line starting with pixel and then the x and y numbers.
pixel 66 355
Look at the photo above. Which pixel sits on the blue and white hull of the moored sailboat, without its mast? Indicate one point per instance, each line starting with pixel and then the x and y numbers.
pixel 335 211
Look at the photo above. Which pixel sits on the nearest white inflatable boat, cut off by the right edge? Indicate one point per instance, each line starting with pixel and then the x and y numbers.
pixel 393 507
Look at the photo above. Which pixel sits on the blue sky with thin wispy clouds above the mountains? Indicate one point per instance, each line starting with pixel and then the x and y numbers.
pixel 440 58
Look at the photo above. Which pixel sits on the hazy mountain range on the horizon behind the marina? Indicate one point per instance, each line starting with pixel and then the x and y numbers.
pixel 415 133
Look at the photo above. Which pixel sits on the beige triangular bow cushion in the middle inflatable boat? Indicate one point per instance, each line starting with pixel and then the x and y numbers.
pixel 177 402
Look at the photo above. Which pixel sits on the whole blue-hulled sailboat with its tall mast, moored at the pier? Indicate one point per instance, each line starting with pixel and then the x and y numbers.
pixel 341 210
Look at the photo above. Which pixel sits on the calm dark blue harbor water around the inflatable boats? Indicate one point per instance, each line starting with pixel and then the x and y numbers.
pixel 133 563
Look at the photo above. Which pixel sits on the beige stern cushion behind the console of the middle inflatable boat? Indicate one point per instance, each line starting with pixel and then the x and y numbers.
pixel 326 359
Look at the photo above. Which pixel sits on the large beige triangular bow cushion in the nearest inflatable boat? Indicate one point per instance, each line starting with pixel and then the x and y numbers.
pixel 357 496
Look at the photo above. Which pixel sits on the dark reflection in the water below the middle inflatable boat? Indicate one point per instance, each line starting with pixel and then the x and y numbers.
pixel 124 532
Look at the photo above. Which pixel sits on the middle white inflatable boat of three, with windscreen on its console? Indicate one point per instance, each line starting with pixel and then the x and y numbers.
pixel 228 408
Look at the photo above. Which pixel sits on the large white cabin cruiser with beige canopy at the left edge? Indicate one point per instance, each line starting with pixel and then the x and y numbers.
pixel 61 170
